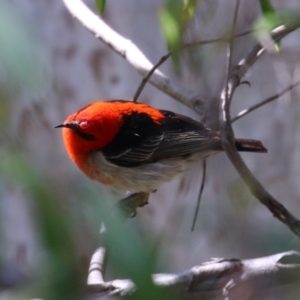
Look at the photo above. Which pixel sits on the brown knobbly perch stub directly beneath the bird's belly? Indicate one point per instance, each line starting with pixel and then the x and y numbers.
pixel 129 204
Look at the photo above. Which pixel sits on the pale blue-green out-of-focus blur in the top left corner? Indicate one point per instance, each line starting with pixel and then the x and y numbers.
pixel 18 56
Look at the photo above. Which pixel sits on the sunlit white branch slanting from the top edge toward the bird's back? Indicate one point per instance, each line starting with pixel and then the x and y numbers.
pixel 132 54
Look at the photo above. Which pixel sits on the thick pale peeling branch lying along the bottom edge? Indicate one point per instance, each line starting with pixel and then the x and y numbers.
pixel 221 278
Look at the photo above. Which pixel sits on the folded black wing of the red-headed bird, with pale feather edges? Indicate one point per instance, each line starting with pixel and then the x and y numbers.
pixel 143 141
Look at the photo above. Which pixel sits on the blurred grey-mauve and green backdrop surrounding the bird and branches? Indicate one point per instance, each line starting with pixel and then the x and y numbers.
pixel 50 213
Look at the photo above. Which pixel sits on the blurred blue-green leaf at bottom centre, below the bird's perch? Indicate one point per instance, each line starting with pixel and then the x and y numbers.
pixel 131 255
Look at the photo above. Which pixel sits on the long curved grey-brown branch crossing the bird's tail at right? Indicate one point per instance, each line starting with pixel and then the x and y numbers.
pixel 227 135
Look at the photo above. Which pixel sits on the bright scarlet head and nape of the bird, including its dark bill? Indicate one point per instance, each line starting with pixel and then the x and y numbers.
pixel 94 126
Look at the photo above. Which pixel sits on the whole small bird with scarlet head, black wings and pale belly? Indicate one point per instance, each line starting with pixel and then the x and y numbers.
pixel 135 147
